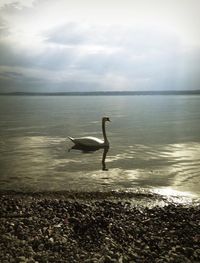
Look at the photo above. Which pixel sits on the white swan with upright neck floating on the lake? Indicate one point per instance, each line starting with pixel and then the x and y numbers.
pixel 90 141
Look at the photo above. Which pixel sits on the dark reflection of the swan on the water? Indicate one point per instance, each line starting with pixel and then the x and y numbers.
pixel 89 149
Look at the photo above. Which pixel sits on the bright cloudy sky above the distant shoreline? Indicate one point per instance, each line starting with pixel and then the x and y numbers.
pixel 93 45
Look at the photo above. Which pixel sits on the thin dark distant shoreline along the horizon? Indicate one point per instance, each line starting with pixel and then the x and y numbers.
pixel 104 93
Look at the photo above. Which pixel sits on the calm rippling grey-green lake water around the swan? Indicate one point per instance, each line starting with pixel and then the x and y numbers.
pixel 154 143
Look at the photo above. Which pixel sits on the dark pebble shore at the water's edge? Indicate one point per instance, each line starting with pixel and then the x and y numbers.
pixel 71 228
